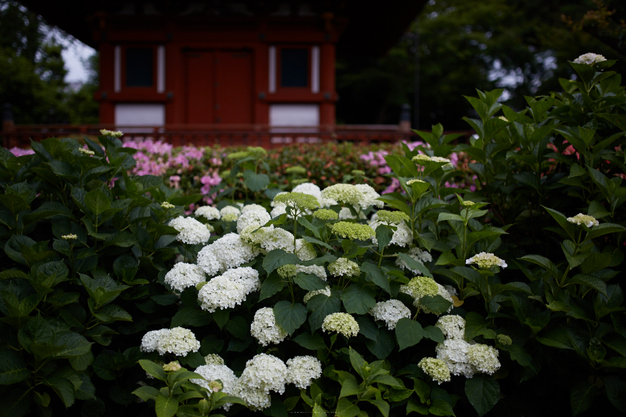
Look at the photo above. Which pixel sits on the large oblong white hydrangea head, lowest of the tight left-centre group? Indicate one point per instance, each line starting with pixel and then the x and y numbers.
pixel 229 289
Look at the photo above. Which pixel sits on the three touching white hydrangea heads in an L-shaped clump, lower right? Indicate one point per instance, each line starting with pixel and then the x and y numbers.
pixel 463 357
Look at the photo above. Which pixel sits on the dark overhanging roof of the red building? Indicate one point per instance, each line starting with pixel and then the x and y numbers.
pixel 370 28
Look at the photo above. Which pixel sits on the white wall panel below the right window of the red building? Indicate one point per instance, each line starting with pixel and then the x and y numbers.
pixel 296 118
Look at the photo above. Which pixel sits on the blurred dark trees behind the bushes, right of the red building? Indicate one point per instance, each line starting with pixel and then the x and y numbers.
pixel 464 45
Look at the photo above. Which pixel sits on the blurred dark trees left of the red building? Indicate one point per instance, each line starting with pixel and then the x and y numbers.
pixel 32 72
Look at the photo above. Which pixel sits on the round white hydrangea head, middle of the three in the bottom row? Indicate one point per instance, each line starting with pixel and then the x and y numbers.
pixel 266 373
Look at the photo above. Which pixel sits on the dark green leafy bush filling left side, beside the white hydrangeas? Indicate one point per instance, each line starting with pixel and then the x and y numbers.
pixel 81 240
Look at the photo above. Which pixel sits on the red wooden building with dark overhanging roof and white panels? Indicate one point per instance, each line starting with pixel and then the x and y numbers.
pixel 225 62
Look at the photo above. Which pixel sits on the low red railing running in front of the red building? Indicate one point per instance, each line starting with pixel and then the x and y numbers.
pixel 207 135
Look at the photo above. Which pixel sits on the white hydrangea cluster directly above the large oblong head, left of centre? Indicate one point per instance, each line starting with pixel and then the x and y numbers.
pixel 227 252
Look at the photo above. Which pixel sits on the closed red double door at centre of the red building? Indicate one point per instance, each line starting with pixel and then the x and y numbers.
pixel 219 86
